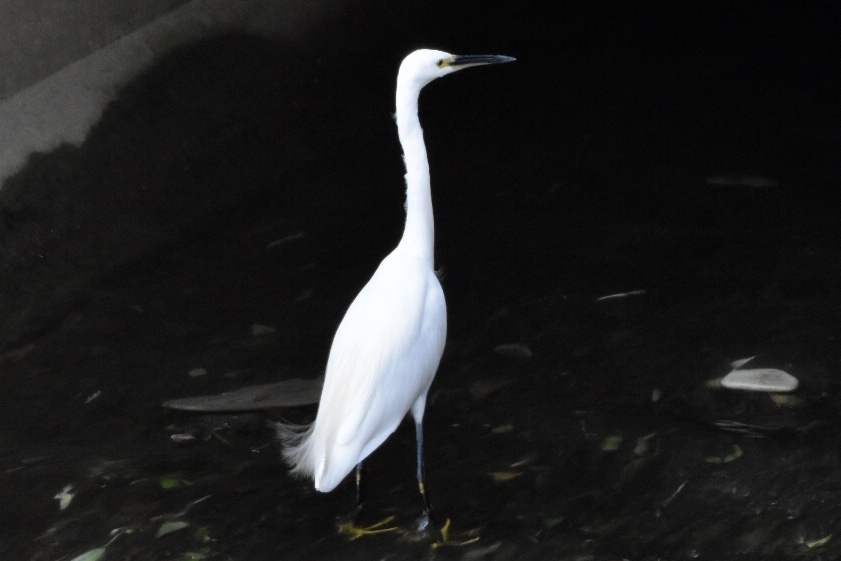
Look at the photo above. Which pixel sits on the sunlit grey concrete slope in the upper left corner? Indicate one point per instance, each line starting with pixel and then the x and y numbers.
pixel 62 61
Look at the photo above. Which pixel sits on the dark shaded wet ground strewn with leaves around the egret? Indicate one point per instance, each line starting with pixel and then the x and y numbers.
pixel 213 228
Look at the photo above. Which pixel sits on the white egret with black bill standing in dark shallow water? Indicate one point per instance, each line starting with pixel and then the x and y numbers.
pixel 387 348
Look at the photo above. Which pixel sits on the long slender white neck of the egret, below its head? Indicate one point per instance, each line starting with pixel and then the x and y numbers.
pixel 419 233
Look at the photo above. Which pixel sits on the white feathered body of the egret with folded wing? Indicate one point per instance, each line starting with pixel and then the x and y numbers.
pixel 384 357
